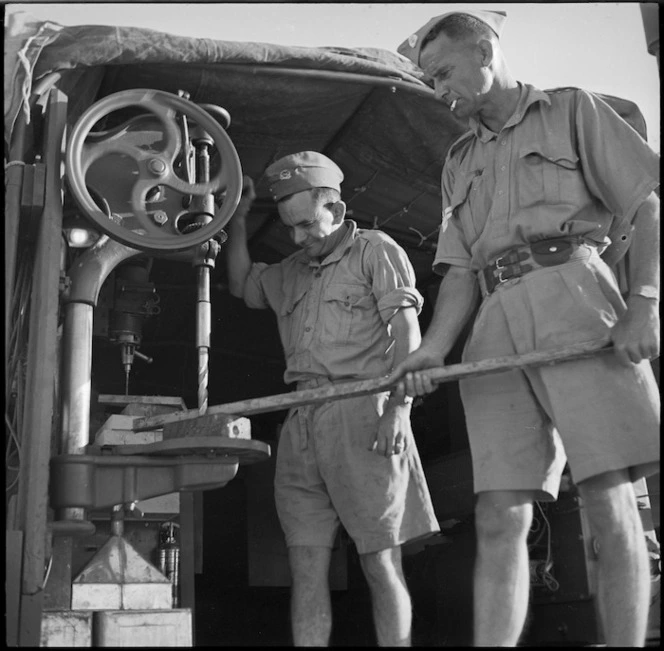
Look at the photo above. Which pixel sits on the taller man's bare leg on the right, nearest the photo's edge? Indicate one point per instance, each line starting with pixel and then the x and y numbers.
pixel 623 581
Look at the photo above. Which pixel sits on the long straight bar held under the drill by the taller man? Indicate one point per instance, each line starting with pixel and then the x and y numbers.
pixel 364 387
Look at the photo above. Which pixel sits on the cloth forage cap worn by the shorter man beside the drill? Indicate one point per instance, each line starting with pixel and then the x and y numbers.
pixel 298 172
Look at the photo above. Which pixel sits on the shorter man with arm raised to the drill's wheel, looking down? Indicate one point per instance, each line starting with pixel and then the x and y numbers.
pixel 347 308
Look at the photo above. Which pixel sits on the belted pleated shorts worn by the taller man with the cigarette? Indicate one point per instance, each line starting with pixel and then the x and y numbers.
pixel 595 414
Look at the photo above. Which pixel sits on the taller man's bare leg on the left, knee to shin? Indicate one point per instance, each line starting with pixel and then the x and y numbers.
pixel 502 575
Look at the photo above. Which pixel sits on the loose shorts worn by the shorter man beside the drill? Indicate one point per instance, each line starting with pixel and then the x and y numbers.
pixel 326 474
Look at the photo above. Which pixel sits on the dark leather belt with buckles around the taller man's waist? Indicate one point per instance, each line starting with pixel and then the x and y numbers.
pixel 520 260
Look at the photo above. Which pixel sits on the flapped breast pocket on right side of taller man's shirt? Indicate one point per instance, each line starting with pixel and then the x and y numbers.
pixel 548 173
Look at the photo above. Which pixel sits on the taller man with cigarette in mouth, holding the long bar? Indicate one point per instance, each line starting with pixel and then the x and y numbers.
pixel 530 194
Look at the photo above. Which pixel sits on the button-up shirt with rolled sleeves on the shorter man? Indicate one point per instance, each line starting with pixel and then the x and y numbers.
pixel 333 316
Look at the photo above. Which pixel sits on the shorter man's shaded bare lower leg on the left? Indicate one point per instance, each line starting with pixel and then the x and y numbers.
pixel 311 610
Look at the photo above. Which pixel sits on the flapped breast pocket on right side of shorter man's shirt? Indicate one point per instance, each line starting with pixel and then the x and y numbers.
pixel 344 310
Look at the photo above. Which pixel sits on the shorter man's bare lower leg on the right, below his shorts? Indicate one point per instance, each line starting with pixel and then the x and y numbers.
pixel 390 599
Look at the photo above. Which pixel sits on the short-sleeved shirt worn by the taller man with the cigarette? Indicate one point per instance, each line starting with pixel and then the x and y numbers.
pixel 564 164
